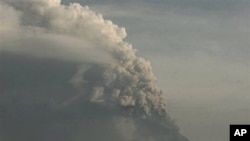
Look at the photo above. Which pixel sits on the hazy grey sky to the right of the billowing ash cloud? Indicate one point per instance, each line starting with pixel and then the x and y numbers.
pixel 199 50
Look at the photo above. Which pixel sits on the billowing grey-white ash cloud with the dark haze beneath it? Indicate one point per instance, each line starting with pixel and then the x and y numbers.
pixel 66 74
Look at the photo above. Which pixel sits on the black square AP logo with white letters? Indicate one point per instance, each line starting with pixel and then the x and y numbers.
pixel 239 132
